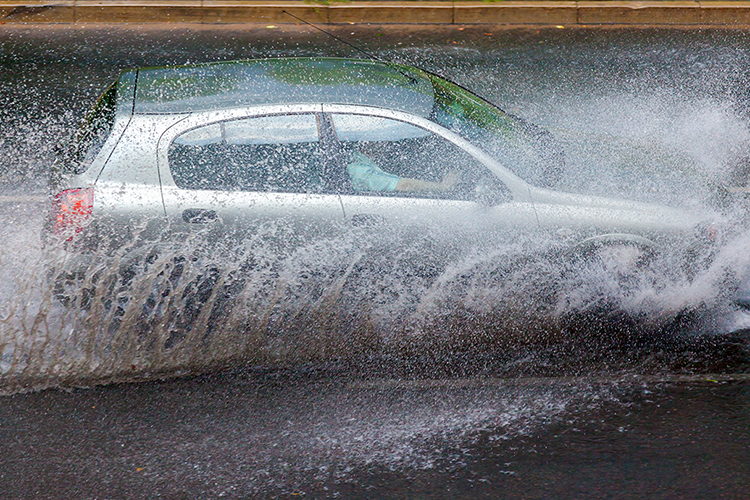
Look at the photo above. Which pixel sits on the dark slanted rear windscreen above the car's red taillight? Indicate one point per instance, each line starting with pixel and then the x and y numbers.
pixel 92 134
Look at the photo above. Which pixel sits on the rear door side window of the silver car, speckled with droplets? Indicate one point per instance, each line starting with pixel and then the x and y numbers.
pixel 271 153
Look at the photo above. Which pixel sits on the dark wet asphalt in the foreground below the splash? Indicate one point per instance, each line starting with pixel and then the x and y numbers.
pixel 287 435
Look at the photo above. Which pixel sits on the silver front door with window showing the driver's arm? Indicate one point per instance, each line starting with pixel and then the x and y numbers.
pixel 409 181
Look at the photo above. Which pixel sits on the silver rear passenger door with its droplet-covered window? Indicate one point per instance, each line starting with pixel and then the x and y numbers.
pixel 234 178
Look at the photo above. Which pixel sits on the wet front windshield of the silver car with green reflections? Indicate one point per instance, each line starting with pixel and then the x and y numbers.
pixel 508 139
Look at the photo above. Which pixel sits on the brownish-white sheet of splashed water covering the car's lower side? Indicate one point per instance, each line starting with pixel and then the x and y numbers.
pixel 207 305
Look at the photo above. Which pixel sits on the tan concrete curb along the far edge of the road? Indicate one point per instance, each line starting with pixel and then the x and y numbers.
pixel 514 12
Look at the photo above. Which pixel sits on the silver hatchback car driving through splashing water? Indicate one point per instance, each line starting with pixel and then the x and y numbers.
pixel 318 147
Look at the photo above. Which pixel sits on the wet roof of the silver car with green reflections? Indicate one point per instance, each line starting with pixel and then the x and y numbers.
pixel 204 87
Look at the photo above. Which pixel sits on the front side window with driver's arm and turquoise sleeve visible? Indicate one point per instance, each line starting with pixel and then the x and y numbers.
pixel 388 157
